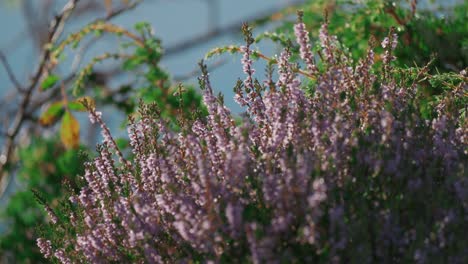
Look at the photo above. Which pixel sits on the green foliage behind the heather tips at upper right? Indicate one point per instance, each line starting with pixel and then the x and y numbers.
pixel 425 34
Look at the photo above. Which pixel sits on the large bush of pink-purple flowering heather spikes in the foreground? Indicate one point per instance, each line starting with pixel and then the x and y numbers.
pixel 350 172
